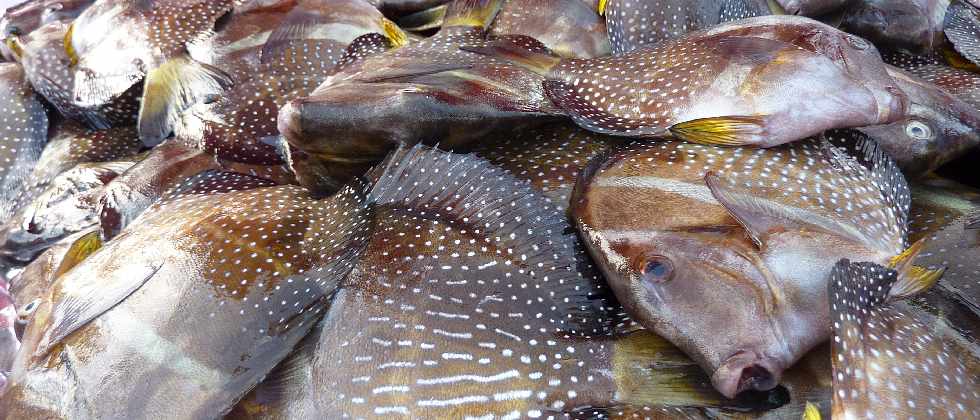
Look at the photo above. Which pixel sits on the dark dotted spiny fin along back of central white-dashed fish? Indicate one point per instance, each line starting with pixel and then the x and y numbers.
pixel 421 178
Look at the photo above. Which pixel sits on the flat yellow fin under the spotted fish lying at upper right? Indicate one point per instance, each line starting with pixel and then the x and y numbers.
pixel 723 131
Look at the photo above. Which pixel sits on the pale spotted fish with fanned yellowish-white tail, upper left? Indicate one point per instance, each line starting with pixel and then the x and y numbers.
pixel 145 44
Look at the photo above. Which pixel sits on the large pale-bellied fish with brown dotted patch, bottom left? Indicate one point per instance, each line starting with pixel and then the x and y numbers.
pixel 191 302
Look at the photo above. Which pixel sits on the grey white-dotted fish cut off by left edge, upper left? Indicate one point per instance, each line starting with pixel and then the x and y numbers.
pixel 23 133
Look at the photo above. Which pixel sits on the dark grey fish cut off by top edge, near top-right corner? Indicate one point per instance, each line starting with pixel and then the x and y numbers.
pixel 911 25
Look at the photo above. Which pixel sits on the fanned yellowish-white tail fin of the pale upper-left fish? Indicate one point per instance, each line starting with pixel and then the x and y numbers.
pixel 171 89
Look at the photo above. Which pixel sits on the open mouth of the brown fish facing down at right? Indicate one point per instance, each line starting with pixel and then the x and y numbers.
pixel 746 371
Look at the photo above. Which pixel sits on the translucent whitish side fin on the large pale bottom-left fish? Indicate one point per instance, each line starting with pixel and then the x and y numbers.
pixel 86 300
